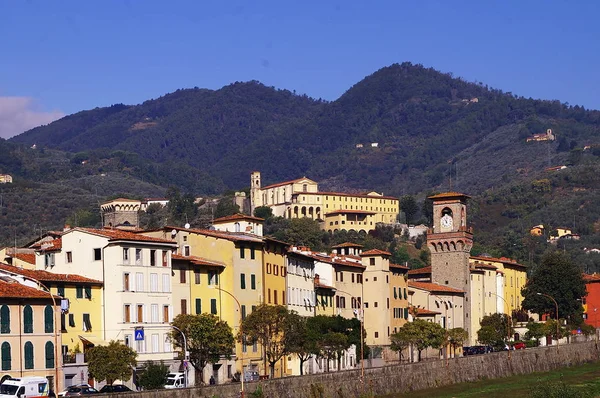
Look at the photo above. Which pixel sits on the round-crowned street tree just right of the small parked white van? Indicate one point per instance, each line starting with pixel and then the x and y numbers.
pixel 208 339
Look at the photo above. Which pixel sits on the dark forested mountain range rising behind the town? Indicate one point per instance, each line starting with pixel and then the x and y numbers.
pixel 433 132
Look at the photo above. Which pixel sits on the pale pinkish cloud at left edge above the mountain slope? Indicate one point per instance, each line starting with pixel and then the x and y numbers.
pixel 19 114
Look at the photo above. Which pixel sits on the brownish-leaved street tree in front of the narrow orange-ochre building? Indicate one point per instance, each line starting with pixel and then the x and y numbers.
pixel 270 325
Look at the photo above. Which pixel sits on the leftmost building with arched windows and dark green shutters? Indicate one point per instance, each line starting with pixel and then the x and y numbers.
pixel 29 341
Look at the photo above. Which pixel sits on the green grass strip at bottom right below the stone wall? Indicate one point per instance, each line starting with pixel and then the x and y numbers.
pixel 584 378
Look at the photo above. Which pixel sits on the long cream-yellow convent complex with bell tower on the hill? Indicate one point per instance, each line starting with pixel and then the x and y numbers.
pixel 335 211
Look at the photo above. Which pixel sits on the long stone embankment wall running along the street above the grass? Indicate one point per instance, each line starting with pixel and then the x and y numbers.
pixel 403 378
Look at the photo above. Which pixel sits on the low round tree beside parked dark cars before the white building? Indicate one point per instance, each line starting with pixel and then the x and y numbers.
pixel 111 362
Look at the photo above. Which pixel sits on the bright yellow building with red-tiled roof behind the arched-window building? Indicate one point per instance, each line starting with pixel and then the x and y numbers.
pixel 81 303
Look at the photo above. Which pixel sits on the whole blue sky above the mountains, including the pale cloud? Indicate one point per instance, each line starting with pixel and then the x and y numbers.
pixel 60 57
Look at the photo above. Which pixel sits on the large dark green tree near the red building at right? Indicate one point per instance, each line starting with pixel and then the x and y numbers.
pixel 558 277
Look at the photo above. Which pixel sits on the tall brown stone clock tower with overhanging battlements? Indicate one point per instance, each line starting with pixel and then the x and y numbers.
pixel 450 244
